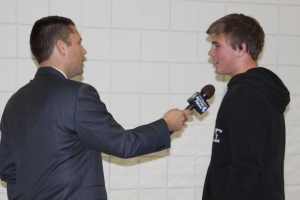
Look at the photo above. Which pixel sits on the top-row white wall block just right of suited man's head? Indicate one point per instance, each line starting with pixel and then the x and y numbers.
pixel 96 13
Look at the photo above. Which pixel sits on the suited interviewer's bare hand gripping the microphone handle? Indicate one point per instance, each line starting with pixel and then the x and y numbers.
pixel 175 118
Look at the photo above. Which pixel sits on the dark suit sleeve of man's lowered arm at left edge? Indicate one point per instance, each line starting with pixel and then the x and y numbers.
pixel 7 165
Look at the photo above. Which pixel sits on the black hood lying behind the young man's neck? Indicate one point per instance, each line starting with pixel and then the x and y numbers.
pixel 268 82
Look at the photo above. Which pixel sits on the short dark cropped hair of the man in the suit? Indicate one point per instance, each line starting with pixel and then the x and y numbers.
pixel 45 32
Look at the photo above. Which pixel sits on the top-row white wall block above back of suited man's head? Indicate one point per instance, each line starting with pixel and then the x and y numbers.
pixel 31 10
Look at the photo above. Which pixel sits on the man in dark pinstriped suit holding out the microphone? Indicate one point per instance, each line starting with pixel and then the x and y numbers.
pixel 53 128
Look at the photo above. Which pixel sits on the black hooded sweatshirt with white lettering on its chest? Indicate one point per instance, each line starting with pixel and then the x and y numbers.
pixel 249 140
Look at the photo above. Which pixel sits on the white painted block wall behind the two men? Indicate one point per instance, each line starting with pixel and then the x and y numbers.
pixel 147 56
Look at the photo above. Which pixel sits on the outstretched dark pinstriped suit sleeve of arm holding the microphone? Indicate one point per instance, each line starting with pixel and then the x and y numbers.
pixel 98 129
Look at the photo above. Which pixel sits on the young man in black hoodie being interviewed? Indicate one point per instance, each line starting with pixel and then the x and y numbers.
pixel 249 137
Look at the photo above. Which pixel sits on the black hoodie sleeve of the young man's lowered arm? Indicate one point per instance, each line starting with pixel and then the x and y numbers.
pixel 246 122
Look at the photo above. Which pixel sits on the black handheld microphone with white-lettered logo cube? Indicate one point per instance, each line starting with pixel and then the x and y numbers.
pixel 198 100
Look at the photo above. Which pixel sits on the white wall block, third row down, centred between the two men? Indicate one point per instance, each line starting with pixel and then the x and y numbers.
pixel 154 78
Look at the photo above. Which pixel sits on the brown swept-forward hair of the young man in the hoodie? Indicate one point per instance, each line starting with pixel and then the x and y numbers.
pixel 239 29
